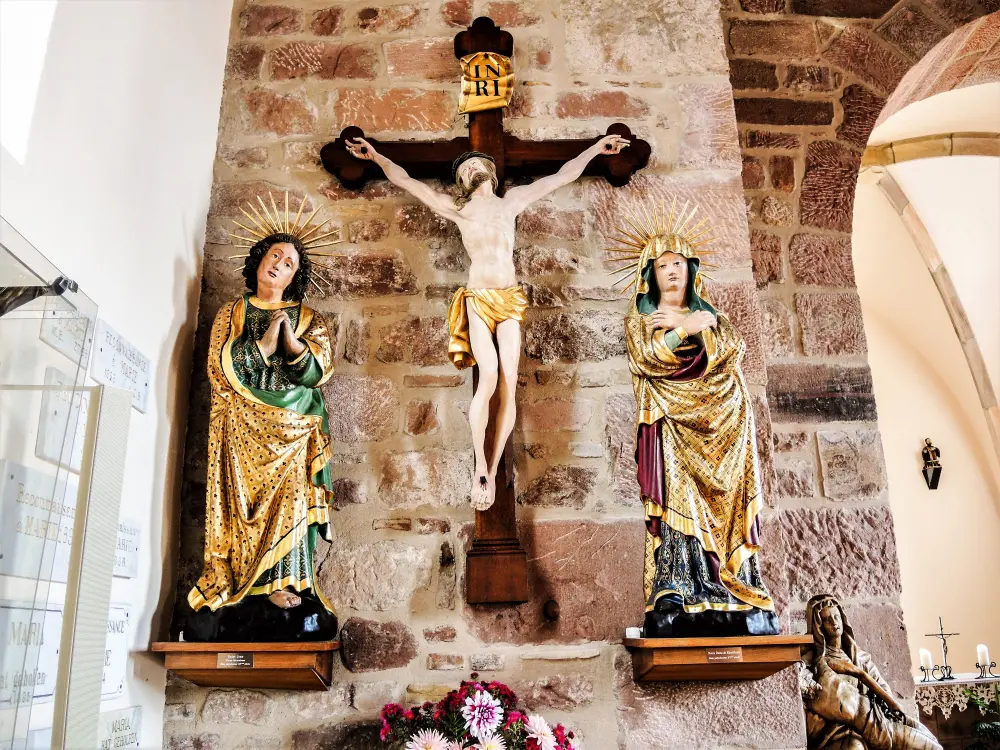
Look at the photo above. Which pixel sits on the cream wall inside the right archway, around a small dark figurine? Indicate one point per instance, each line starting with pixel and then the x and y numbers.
pixel 947 538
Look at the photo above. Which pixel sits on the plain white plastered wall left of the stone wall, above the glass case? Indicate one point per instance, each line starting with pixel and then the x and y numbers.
pixel 113 187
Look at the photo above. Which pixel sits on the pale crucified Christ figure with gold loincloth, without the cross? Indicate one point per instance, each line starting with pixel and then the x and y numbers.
pixel 493 304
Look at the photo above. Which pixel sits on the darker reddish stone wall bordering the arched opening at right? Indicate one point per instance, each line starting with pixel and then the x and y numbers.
pixel 810 78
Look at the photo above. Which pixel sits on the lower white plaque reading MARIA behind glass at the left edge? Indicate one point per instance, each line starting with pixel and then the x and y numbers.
pixel 30 655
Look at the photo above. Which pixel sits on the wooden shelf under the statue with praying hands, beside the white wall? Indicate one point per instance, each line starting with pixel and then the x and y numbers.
pixel 287 666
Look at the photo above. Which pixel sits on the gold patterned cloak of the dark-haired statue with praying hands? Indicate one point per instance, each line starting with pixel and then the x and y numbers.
pixel 260 499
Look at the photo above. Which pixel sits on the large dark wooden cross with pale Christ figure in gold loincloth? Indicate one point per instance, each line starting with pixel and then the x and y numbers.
pixel 484 318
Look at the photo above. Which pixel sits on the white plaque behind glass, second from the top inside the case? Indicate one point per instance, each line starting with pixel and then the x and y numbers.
pixel 61 430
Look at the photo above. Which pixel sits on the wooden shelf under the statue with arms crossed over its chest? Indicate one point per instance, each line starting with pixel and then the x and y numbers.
pixel 743 658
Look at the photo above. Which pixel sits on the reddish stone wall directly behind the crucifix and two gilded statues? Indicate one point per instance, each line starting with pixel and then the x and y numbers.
pixel 299 72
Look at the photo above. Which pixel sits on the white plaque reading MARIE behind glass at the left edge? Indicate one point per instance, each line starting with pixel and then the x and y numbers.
pixel 36 522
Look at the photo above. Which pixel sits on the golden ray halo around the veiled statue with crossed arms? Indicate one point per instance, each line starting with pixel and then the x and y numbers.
pixel 652 231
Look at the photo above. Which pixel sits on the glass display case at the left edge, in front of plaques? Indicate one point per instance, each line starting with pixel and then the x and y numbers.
pixel 46 332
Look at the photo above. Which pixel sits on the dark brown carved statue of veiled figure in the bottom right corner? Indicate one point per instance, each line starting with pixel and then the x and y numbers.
pixel 848 704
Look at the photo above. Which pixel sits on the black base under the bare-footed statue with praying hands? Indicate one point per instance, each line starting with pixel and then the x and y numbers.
pixel 257 620
